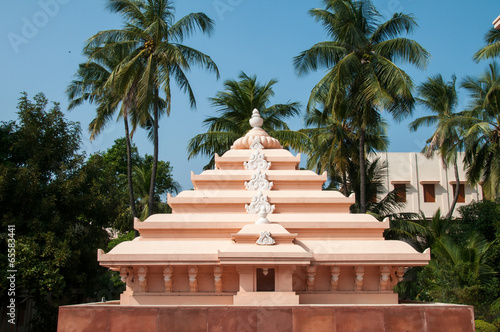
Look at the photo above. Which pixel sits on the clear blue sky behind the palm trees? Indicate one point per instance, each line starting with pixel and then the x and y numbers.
pixel 41 43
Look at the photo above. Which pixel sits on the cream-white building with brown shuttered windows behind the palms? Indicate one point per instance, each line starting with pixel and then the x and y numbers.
pixel 429 184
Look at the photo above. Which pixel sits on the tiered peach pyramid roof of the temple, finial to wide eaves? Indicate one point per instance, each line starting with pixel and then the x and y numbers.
pixel 257 207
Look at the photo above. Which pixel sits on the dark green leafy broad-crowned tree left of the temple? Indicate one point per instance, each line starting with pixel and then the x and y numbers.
pixel 60 206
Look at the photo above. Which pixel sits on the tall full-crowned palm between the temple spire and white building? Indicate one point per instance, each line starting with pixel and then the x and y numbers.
pixel 360 58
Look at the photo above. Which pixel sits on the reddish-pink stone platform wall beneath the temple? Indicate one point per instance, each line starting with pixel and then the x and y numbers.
pixel 353 318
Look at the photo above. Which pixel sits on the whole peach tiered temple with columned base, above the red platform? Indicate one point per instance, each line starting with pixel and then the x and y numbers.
pixel 256 230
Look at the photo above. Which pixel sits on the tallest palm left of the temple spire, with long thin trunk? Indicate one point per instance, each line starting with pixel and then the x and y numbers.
pixel 155 56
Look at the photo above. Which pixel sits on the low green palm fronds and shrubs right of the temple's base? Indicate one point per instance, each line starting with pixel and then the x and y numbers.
pixel 464 268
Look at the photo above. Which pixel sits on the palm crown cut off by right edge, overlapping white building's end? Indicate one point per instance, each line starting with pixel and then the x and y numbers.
pixel 482 137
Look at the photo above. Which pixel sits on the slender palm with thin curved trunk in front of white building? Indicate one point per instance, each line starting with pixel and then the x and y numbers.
pixel 440 98
